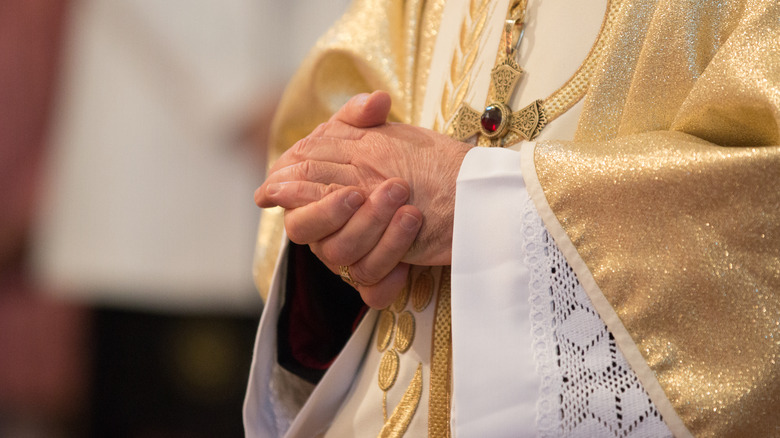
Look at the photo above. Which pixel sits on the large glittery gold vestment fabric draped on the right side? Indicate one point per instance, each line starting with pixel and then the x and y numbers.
pixel 667 205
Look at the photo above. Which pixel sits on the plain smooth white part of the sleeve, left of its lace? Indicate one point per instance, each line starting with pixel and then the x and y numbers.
pixel 494 389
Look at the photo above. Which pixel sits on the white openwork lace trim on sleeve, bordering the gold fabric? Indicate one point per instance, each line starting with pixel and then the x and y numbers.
pixel 587 387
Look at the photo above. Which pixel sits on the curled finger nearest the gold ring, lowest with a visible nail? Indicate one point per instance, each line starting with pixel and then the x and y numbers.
pixel 390 249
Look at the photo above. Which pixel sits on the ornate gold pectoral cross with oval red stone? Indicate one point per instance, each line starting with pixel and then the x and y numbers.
pixel 497 120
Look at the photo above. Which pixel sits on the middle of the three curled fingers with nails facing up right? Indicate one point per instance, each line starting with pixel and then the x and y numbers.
pixel 364 230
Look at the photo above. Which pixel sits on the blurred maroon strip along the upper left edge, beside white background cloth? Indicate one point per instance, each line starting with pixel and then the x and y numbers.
pixel 30 44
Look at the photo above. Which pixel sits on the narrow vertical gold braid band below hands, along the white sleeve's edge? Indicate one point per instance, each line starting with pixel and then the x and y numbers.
pixel 441 357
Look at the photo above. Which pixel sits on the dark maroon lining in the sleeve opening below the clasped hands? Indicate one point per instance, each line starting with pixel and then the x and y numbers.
pixel 319 315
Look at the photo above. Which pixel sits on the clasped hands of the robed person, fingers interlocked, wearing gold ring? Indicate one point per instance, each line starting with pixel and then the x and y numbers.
pixel 371 195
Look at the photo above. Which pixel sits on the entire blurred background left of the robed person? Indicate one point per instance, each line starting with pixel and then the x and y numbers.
pixel 131 140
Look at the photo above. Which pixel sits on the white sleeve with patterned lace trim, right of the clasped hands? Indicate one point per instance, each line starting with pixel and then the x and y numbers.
pixel 530 354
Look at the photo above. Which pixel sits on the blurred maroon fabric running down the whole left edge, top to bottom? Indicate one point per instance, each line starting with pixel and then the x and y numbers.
pixel 43 343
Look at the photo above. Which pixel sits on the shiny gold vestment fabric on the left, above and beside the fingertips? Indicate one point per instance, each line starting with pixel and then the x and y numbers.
pixel 377 45
